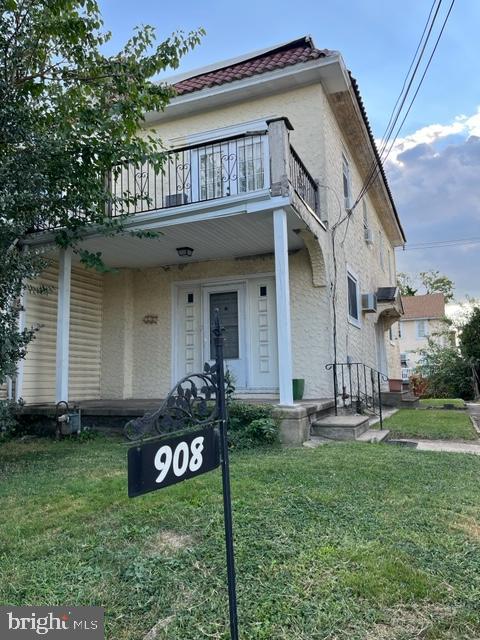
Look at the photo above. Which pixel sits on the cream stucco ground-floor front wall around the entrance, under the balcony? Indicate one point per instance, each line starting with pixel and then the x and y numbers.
pixel 144 351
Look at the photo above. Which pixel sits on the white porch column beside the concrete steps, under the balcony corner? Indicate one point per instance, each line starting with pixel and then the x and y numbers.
pixel 282 288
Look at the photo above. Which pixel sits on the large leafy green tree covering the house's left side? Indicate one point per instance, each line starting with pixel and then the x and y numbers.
pixel 68 115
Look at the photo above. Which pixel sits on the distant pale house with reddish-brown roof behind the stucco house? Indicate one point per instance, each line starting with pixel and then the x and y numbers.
pixel 424 318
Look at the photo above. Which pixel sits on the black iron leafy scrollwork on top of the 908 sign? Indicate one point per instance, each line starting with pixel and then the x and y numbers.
pixel 191 403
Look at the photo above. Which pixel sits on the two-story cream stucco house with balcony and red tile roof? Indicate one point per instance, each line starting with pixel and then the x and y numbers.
pixel 268 153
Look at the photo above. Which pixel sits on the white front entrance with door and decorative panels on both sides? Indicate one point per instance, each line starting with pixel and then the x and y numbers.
pixel 248 314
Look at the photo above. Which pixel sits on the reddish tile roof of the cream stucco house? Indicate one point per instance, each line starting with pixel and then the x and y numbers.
pixel 288 54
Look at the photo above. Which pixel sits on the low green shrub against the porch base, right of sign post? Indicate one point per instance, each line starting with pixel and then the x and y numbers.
pixel 251 425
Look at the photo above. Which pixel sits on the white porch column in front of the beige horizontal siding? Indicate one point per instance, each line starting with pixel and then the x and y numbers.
pixel 63 324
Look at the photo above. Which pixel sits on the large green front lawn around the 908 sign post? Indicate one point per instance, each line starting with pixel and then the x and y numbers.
pixel 344 542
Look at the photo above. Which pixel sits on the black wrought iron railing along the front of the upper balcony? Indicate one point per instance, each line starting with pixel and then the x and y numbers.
pixel 194 174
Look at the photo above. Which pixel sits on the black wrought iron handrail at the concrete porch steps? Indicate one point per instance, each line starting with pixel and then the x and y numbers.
pixel 357 388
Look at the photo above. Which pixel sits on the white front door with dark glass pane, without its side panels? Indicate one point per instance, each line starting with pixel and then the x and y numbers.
pixel 230 302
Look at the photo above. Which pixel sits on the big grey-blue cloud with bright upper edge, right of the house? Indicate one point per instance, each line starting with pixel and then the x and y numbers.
pixel 434 177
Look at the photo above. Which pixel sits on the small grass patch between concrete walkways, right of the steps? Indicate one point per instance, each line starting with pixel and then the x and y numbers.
pixel 435 424
